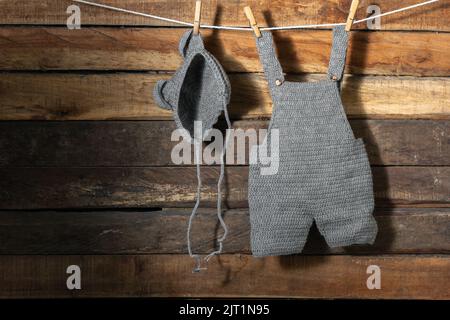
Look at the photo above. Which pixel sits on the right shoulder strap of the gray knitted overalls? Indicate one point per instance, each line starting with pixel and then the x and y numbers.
pixel 338 53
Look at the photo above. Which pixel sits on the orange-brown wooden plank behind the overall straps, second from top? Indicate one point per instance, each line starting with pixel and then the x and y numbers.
pixel 58 48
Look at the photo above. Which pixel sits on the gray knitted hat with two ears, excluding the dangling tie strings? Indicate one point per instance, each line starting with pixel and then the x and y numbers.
pixel 198 91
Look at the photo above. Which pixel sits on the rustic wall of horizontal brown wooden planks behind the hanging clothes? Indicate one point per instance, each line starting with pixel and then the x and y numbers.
pixel 85 170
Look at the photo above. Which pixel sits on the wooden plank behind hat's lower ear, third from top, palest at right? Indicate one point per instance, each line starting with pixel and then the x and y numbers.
pixel 65 96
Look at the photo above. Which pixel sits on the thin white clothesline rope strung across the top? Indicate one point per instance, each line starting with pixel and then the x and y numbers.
pixel 305 26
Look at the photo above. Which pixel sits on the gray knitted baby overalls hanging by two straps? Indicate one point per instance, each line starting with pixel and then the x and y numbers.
pixel 324 173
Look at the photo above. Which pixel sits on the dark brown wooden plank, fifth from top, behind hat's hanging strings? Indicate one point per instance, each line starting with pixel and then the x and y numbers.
pixel 57 188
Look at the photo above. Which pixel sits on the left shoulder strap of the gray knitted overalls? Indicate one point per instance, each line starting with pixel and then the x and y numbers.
pixel 269 60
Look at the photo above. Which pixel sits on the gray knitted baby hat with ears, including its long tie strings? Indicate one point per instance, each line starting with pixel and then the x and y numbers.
pixel 198 92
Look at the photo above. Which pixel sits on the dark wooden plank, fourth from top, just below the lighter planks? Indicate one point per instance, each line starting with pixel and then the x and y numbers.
pixel 148 143
